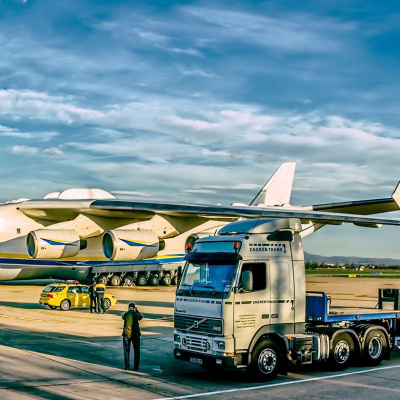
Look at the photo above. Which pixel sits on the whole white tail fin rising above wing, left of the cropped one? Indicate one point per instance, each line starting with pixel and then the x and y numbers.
pixel 278 189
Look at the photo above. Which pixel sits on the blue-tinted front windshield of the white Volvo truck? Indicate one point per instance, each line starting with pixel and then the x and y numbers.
pixel 207 278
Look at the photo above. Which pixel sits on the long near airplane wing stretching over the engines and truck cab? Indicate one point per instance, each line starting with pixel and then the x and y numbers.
pixel 57 210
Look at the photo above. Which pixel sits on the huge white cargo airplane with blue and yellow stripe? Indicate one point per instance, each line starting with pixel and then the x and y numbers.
pixel 67 234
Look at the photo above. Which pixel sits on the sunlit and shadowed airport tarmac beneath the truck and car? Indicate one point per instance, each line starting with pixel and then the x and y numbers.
pixel 51 354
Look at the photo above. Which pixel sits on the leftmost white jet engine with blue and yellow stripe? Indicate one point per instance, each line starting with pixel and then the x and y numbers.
pixel 53 243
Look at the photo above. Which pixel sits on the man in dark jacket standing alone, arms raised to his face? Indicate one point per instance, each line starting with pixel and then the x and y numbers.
pixel 131 335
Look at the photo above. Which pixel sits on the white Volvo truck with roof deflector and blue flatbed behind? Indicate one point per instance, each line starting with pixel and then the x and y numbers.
pixel 241 303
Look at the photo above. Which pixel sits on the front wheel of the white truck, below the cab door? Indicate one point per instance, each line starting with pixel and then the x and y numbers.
pixel 265 360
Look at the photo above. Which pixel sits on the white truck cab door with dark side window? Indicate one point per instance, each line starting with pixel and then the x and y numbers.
pixel 251 309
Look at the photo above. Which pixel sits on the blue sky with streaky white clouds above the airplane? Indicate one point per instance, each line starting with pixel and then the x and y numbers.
pixel 201 101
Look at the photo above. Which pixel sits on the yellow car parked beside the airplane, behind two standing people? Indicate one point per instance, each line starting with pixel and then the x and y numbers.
pixel 67 295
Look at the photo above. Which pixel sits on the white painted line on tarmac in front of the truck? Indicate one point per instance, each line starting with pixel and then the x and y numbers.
pixel 189 396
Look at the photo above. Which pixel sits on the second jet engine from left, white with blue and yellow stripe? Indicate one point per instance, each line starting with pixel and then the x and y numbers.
pixel 131 245
